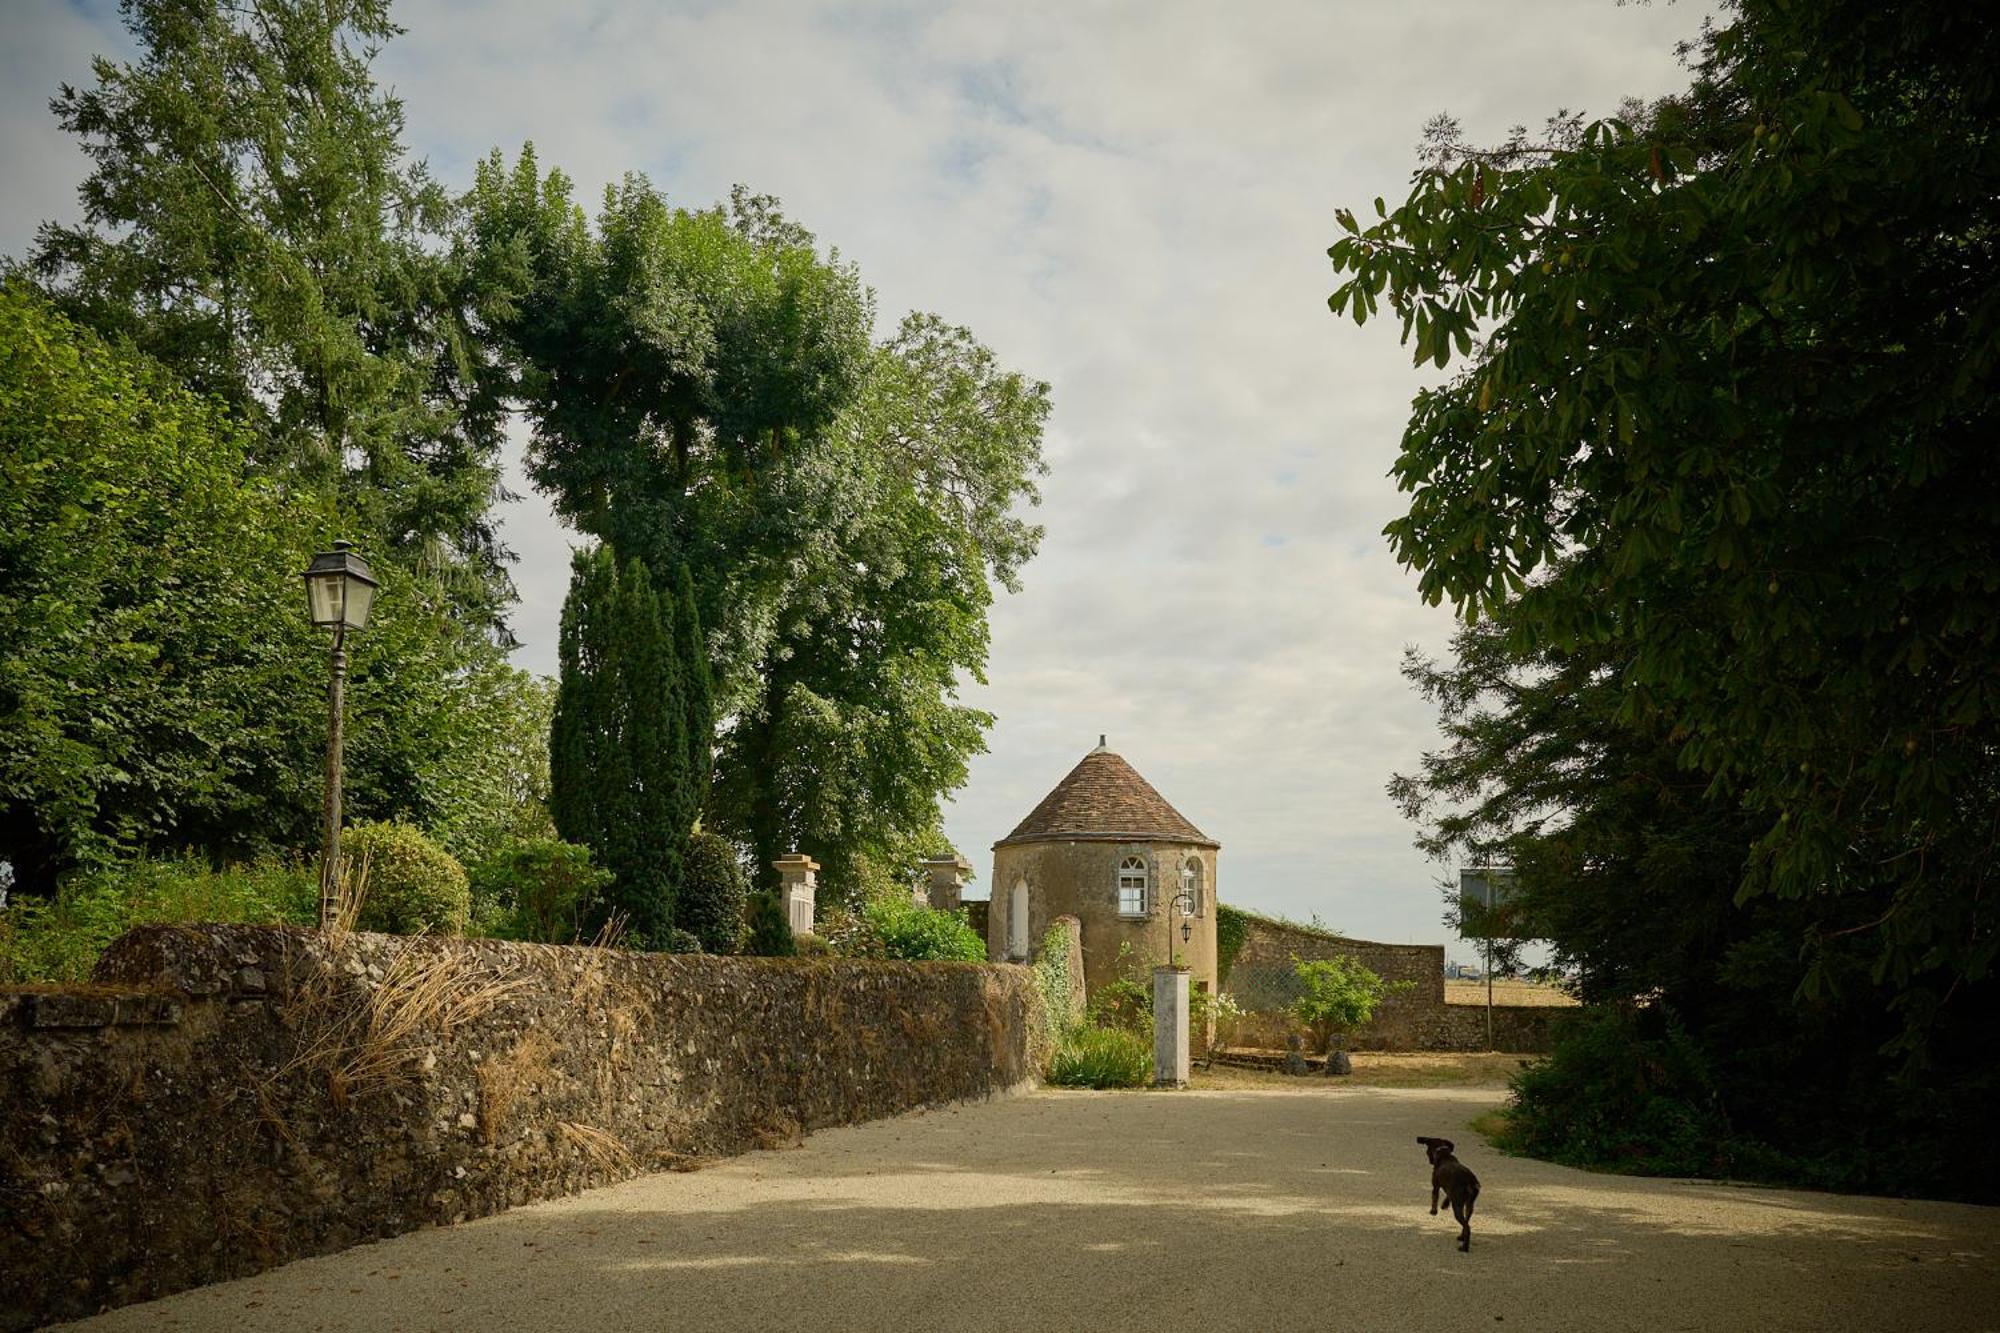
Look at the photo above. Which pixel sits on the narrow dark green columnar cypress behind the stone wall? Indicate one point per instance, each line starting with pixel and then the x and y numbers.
pixel 623 776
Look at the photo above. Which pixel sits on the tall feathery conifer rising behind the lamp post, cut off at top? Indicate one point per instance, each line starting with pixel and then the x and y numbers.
pixel 255 225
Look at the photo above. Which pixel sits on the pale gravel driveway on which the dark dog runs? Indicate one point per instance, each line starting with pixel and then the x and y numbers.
pixel 1211 1210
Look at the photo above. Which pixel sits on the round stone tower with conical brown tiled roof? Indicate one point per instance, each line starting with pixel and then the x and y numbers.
pixel 1109 850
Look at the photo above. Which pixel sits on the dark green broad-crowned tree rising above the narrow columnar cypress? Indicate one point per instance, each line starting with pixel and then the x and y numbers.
pixel 677 369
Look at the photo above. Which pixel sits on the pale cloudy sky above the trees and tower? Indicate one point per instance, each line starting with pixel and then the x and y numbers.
pixel 1129 201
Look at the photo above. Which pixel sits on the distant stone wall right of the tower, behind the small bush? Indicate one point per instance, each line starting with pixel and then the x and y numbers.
pixel 1415 1020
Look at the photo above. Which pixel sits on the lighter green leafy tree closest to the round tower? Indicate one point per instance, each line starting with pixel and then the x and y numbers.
pixel 859 728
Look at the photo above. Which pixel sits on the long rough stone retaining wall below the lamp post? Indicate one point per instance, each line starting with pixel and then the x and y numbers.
pixel 235 1098
